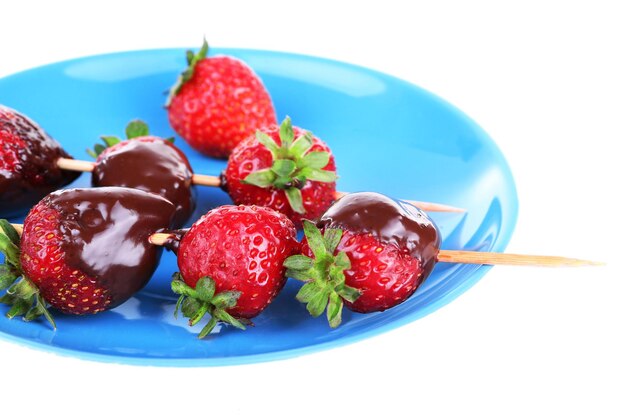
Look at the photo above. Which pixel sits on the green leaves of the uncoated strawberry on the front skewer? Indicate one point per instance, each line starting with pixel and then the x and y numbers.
pixel 196 302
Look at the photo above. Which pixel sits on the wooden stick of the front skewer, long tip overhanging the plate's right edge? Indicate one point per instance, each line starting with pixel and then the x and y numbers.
pixel 454 256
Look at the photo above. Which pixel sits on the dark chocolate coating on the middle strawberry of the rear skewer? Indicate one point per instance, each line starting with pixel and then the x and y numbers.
pixel 149 164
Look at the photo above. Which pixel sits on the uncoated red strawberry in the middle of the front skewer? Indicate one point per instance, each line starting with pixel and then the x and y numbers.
pixel 231 264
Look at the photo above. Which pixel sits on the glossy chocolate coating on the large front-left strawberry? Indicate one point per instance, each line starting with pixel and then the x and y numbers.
pixel 106 234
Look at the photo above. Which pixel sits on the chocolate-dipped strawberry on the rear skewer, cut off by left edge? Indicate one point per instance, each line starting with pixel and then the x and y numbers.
pixel 28 169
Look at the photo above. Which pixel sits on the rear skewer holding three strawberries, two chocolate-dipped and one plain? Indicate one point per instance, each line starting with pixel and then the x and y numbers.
pixel 282 167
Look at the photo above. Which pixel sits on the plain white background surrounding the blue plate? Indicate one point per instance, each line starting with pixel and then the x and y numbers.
pixel 545 79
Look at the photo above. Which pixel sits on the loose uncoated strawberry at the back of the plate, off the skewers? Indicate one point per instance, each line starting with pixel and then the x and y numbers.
pixel 217 102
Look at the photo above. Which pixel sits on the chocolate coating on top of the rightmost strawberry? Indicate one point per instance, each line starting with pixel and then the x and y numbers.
pixel 391 221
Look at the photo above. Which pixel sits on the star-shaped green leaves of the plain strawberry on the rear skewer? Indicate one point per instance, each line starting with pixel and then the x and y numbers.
pixel 293 164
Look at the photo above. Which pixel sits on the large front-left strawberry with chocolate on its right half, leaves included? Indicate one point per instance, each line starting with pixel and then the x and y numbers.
pixel 82 251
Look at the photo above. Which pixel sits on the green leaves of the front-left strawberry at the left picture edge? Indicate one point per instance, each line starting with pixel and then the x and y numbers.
pixel 21 294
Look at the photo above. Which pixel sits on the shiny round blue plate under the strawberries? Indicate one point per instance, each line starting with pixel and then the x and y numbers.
pixel 387 135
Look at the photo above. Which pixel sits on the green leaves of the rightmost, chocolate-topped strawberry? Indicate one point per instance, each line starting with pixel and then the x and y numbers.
pixel 325 283
